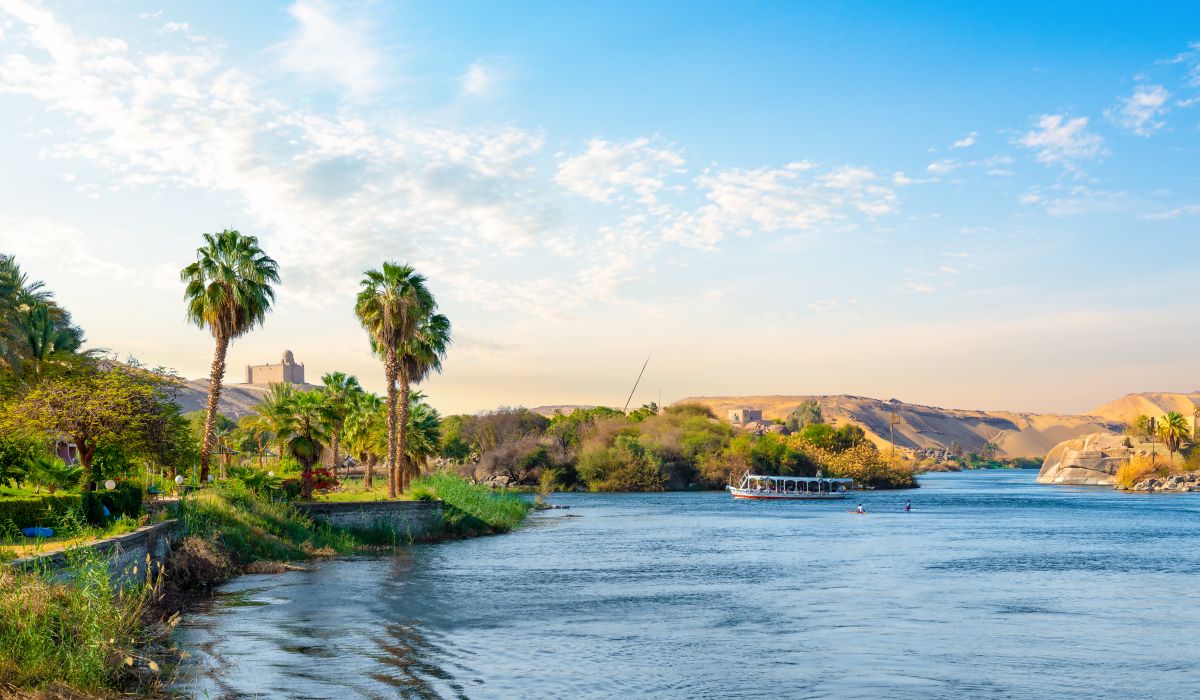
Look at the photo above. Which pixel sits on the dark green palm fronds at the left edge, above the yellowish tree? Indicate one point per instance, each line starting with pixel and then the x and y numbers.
pixel 35 332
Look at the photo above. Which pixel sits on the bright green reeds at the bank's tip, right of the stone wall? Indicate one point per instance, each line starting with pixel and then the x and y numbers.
pixel 472 508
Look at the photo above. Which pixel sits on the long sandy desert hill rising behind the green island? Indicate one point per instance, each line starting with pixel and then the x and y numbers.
pixel 1017 435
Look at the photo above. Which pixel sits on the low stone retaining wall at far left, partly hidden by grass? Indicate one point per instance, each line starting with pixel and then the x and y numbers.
pixel 131 557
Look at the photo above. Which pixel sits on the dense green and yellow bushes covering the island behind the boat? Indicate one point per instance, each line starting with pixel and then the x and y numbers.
pixel 651 450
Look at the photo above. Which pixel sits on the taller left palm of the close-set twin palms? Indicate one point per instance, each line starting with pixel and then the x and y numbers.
pixel 389 307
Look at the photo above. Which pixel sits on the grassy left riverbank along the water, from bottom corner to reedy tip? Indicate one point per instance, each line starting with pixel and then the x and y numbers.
pixel 85 638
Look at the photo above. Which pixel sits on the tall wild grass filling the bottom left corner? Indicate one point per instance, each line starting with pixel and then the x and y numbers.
pixel 83 635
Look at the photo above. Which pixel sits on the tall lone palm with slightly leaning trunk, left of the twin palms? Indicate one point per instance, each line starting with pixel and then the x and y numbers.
pixel 229 291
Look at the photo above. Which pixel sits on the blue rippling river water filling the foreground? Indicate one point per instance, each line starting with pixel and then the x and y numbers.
pixel 991 588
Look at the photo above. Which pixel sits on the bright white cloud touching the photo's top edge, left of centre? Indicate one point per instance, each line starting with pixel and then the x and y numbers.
pixel 331 50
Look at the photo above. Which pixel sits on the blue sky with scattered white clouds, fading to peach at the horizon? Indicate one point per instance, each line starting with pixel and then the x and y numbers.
pixel 975 206
